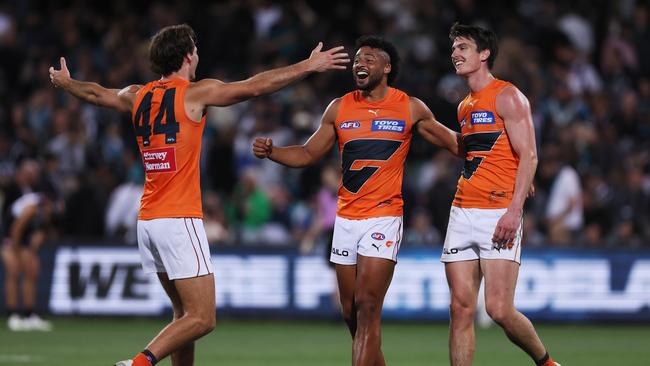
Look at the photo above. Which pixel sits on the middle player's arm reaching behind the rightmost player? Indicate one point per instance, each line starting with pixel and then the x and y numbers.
pixel 432 130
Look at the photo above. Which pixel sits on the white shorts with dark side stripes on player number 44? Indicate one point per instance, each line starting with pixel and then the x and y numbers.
pixel 176 246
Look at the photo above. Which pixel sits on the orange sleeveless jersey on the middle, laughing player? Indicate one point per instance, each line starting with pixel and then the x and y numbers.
pixel 374 139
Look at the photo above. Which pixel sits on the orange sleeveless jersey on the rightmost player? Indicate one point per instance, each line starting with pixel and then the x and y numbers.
pixel 488 177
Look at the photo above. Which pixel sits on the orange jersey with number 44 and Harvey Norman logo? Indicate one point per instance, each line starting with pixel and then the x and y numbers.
pixel 170 144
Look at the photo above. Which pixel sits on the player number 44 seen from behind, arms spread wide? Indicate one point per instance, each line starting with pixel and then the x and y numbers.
pixel 168 117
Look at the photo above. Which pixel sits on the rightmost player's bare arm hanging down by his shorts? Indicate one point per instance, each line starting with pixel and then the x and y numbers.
pixel 513 106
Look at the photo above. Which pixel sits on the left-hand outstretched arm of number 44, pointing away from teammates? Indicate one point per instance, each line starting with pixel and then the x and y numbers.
pixel 119 99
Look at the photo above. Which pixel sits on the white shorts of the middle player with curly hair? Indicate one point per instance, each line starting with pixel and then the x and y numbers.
pixel 378 237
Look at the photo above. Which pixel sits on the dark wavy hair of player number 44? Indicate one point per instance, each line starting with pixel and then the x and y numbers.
pixel 169 46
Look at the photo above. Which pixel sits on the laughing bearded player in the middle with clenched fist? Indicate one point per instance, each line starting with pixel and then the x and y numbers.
pixel 374 126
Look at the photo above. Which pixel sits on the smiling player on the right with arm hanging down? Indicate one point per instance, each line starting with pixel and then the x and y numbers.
pixel 484 233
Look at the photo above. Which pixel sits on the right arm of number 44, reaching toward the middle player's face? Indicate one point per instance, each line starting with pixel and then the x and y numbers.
pixel 212 92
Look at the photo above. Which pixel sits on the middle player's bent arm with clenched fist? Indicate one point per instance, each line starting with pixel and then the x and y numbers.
pixel 299 156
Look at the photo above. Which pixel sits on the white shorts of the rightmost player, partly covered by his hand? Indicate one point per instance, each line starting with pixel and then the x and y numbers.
pixel 469 236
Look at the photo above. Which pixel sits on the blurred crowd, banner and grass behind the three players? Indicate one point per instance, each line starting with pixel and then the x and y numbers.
pixel 584 65
